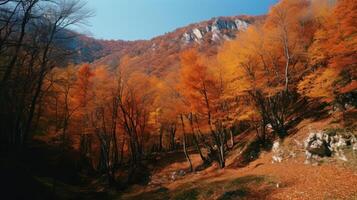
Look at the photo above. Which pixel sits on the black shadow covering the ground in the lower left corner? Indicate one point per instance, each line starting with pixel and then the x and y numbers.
pixel 43 172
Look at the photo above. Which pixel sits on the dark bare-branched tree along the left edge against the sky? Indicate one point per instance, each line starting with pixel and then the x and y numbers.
pixel 31 34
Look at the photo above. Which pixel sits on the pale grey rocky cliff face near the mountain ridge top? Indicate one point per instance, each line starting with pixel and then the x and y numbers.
pixel 220 29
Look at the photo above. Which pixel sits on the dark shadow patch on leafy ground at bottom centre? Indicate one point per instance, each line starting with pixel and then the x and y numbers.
pixel 246 187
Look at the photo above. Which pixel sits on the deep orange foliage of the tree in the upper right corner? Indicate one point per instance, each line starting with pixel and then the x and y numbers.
pixel 334 51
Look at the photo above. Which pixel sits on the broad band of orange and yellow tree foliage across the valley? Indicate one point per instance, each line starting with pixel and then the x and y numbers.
pixel 305 46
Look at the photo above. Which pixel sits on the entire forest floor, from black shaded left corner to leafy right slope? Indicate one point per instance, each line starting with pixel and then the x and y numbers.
pixel 38 174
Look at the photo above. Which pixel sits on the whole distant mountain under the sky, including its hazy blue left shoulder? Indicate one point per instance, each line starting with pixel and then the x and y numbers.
pixel 161 53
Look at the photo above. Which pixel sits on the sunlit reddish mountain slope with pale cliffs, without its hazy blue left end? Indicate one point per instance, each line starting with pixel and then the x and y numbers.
pixel 160 55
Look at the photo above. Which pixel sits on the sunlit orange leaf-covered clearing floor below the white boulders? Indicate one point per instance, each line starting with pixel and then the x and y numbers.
pixel 261 179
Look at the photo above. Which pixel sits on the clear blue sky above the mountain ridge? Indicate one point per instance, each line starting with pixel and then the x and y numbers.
pixel 144 19
